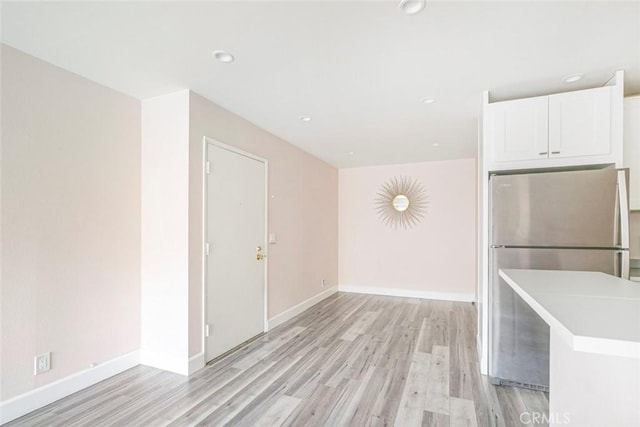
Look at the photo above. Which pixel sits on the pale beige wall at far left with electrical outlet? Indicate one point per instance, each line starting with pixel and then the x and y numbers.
pixel 70 222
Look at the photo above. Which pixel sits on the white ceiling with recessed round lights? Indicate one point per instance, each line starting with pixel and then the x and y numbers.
pixel 358 68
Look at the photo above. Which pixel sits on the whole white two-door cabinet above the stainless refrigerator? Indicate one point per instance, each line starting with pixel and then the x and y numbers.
pixel 570 129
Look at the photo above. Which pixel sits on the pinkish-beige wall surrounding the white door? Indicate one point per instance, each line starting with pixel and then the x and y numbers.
pixel 303 212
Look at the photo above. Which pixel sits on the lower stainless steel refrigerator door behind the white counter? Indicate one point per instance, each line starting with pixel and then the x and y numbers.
pixel 518 337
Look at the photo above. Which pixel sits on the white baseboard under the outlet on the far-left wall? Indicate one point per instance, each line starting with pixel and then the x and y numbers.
pixel 42 396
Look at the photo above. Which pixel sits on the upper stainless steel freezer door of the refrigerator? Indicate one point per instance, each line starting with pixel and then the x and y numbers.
pixel 571 209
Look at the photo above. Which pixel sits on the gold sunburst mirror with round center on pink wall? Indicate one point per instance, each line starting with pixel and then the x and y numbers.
pixel 401 202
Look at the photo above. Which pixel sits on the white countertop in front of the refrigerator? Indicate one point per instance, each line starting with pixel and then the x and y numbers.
pixel 593 312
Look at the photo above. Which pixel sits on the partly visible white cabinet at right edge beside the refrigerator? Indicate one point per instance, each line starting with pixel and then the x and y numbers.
pixel 631 137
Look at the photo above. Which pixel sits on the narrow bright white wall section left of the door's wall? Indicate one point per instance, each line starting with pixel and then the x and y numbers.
pixel 165 232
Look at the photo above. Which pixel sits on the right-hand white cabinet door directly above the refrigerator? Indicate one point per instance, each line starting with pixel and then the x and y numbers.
pixel 580 123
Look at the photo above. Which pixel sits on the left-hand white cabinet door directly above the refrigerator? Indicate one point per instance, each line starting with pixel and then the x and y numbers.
pixel 520 129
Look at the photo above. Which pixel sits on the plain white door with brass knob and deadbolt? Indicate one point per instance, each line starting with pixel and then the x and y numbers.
pixel 235 233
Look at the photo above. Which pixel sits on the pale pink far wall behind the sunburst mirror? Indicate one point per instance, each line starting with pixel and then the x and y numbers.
pixel 437 256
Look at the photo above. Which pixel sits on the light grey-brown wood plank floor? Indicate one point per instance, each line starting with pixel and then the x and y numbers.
pixel 351 360
